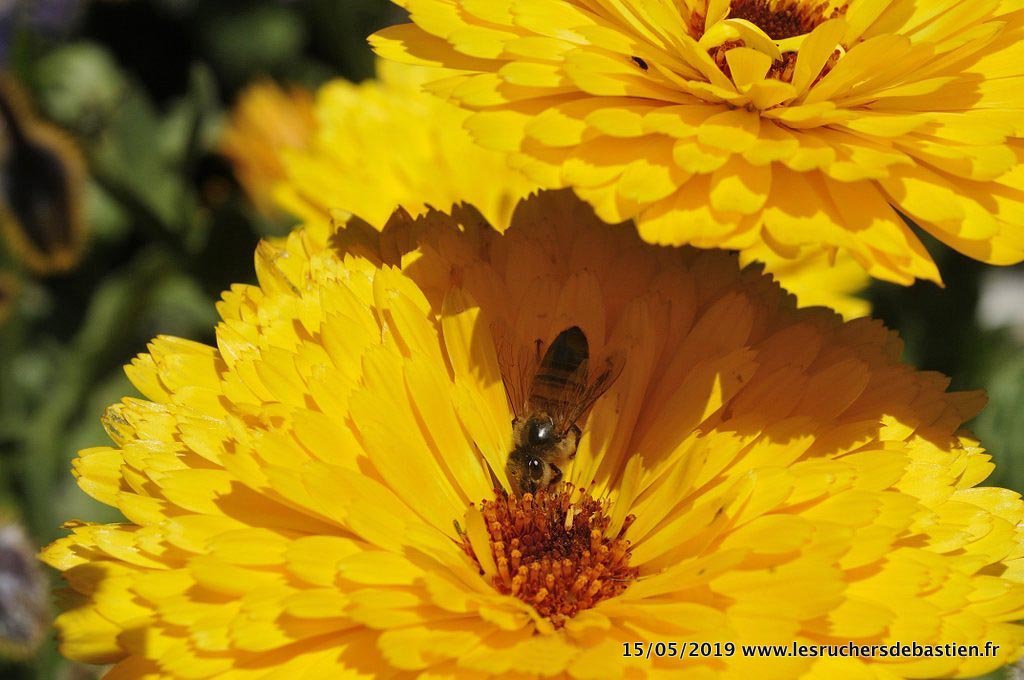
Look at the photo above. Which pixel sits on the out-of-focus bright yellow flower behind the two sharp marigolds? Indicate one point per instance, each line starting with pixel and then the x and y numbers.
pixel 421 156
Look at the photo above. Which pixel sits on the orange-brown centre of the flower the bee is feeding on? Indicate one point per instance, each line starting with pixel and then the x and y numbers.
pixel 553 555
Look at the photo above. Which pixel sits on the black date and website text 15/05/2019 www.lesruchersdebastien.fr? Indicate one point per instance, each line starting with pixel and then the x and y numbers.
pixel 692 650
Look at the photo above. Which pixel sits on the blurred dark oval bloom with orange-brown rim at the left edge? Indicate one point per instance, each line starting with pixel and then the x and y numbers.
pixel 41 188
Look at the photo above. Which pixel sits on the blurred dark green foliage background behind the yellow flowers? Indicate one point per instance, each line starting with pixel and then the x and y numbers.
pixel 144 88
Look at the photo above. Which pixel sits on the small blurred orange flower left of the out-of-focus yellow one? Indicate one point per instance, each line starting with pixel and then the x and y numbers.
pixel 267 120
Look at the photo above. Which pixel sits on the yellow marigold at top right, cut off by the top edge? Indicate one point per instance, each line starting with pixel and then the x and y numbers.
pixel 793 123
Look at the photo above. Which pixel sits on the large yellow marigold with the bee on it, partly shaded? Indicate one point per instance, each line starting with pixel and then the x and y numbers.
pixel 317 495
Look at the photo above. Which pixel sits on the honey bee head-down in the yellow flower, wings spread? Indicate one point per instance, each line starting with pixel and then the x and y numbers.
pixel 545 430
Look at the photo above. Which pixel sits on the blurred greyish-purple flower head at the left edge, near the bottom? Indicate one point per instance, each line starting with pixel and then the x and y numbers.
pixel 24 609
